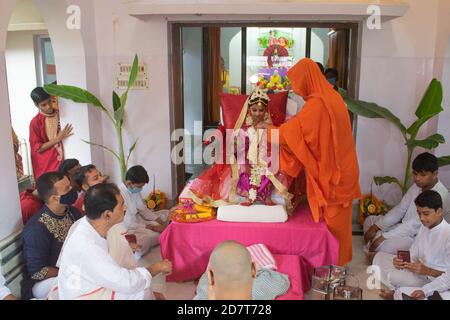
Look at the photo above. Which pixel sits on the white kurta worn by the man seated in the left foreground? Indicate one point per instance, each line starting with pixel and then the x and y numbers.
pixel 87 266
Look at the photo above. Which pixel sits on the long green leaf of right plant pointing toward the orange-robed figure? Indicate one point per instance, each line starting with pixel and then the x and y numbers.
pixel 372 110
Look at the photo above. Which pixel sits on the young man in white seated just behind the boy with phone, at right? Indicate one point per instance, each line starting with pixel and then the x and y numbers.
pixel 398 228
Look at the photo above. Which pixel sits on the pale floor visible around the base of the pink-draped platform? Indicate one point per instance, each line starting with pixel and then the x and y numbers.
pixel 186 290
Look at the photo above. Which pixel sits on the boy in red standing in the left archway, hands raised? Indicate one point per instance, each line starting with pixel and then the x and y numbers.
pixel 46 137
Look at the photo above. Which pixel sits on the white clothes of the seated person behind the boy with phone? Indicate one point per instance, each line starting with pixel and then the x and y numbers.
pixel 403 220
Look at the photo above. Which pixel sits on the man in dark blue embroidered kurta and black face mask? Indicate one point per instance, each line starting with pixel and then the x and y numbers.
pixel 45 232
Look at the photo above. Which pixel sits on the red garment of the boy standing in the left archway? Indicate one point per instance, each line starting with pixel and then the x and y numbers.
pixel 50 159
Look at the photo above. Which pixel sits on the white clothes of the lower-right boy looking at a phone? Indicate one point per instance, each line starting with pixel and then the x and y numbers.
pixel 432 248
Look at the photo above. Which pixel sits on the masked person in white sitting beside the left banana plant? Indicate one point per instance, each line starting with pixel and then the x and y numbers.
pixel 139 220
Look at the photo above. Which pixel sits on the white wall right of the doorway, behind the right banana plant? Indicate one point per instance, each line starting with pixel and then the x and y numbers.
pixel 397 64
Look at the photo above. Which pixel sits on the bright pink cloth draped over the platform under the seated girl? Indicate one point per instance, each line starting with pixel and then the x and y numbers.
pixel 189 245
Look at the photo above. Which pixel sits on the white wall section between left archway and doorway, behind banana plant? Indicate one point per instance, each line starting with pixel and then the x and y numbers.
pixel 148 114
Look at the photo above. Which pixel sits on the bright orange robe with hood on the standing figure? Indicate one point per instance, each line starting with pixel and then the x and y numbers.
pixel 319 139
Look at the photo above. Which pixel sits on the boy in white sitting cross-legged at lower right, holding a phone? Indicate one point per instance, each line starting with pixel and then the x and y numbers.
pixel 429 253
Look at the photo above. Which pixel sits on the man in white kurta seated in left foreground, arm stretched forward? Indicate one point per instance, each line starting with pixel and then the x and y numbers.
pixel 87 269
